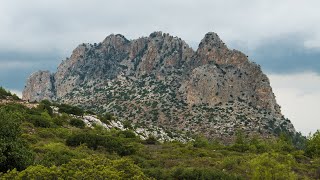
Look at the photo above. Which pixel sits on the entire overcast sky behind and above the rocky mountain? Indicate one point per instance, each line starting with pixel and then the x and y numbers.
pixel 281 35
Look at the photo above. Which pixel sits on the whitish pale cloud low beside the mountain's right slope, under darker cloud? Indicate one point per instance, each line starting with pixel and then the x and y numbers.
pixel 299 97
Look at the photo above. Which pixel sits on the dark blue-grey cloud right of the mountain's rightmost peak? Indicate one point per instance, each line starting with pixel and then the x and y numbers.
pixel 286 55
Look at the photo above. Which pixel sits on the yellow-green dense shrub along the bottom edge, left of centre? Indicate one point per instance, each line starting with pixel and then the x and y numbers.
pixel 95 167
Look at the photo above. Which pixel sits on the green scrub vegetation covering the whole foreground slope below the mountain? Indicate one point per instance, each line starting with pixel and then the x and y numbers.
pixel 39 144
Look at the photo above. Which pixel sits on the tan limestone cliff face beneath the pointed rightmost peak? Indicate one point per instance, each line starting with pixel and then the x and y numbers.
pixel 230 76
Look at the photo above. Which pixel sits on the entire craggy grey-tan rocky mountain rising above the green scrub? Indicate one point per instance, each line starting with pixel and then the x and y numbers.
pixel 160 80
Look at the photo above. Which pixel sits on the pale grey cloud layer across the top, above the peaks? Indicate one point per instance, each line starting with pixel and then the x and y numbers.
pixel 62 24
